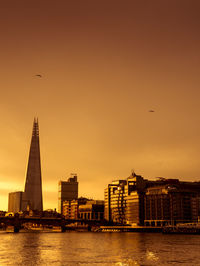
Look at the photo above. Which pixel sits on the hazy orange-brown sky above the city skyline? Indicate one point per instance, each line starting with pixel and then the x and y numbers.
pixel 104 65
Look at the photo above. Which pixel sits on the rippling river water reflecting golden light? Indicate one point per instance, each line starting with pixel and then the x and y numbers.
pixel 85 248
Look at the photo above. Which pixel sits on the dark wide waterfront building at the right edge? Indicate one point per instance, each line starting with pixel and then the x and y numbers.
pixel 171 203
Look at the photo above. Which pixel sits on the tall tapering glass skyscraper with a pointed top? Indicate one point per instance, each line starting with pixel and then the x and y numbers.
pixel 33 187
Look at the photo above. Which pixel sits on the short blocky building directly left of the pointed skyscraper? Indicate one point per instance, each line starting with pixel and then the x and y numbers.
pixel 15 201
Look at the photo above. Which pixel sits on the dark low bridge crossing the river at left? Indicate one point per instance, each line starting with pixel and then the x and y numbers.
pixel 18 222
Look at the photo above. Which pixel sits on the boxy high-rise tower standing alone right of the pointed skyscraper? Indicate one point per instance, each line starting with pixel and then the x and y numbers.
pixel 67 190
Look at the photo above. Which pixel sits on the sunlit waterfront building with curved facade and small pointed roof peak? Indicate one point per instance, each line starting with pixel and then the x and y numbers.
pixel 124 200
